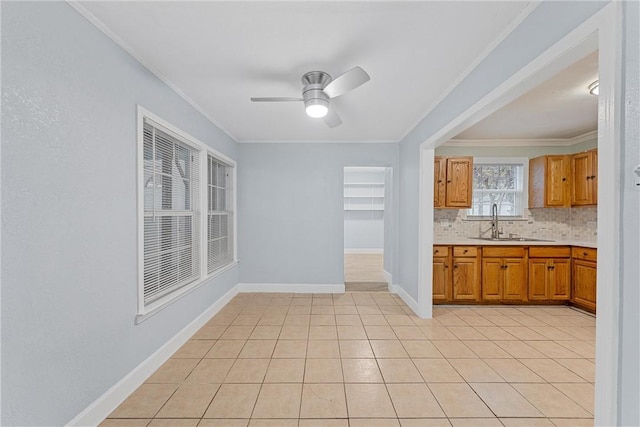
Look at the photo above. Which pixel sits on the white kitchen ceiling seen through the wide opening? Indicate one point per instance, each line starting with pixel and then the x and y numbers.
pixel 560 108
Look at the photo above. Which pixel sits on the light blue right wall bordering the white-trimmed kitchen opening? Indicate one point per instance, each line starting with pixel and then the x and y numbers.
pixel 548 23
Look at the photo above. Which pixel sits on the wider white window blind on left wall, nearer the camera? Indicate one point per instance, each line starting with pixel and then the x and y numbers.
pixel 171 213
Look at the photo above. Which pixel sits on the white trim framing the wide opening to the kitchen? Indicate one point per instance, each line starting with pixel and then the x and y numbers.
pixel 603 29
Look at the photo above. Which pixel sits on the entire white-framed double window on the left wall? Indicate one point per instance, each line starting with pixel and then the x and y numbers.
pixel 186 206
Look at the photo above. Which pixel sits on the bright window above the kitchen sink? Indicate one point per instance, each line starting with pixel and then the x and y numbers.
pixel 499 181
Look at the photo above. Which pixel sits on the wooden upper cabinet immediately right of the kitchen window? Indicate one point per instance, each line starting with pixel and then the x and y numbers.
pixel 549 182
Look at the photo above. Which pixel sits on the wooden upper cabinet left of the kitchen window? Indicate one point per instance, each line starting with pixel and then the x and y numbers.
pixel 453 182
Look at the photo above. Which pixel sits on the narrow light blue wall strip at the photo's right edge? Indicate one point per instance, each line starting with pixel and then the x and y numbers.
pixel 629 392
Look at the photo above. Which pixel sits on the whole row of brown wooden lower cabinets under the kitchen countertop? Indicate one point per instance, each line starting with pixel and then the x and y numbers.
pixel 514 275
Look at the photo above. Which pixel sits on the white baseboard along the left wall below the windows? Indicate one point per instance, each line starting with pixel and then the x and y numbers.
pixel 96 412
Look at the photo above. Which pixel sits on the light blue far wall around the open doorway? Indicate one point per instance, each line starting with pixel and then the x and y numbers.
pixel 290 209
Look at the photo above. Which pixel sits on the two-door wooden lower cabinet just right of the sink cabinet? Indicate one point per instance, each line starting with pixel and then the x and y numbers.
pixel 549 273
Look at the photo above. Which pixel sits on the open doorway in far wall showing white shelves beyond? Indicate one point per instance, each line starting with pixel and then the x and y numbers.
pixel 364 218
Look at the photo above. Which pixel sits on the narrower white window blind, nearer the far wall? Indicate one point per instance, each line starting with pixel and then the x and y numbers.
pixel 220 214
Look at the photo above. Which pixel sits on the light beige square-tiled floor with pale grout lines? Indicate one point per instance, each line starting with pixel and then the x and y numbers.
pixel 364 359
